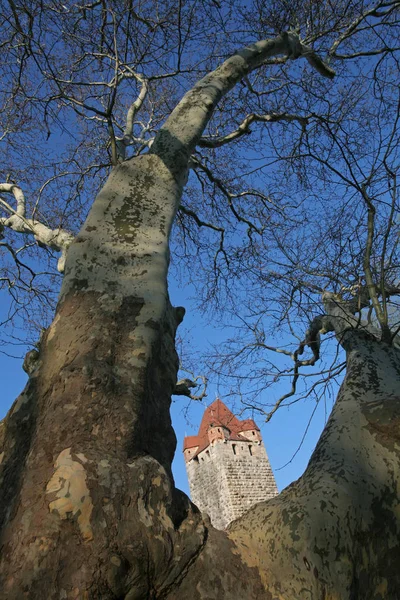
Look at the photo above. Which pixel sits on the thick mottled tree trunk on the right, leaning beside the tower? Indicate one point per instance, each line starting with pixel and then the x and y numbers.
pixel 334 534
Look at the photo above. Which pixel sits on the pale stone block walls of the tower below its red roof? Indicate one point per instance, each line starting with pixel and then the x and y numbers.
pixel 228 477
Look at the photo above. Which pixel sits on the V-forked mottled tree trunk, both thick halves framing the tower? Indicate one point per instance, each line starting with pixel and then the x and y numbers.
pixel 89 509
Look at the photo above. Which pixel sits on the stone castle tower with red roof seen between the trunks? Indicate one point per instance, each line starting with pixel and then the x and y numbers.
pixel 227 465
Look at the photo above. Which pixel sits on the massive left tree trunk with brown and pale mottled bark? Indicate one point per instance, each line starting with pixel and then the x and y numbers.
pixel 88 505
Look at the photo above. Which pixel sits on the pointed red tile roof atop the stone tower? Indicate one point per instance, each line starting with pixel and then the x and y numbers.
pixel 218 415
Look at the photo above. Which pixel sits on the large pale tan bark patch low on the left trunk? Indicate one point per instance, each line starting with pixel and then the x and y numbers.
pixel 73 498
